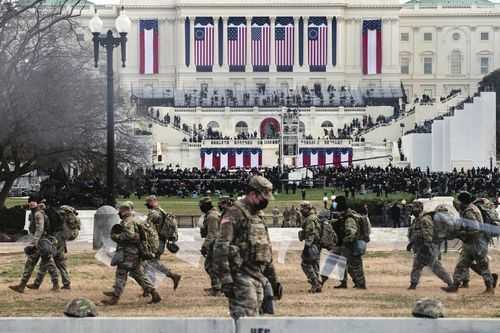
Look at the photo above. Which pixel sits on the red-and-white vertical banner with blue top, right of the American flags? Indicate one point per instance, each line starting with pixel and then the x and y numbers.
pixel 372 47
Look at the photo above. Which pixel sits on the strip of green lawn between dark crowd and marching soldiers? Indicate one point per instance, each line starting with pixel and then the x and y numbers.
pixel 189 206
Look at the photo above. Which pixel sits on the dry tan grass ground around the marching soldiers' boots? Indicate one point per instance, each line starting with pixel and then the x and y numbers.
pixel 387 277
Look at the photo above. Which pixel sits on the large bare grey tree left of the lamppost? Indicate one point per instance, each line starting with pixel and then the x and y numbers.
pixel 51 101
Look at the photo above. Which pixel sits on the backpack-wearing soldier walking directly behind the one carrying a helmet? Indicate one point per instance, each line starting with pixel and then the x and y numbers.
pixel 162 220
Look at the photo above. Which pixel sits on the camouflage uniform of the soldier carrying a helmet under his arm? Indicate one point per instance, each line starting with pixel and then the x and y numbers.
pixel 127 241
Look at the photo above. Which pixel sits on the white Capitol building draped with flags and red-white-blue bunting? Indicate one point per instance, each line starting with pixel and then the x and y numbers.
pixel 238 83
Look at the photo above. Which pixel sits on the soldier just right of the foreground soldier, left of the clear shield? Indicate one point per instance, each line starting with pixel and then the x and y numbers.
pixel 310 234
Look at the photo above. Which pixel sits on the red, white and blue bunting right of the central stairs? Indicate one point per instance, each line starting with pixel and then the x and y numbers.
pixel 324 157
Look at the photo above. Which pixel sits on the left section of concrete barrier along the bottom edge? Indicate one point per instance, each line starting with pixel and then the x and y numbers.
pixel 111 325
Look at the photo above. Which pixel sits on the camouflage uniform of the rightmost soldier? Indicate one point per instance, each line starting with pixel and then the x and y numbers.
pixel 474 249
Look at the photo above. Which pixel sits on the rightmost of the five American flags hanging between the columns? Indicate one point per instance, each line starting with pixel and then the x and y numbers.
pixel 317 43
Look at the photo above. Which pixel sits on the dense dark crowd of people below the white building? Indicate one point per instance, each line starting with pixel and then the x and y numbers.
pixel 354 181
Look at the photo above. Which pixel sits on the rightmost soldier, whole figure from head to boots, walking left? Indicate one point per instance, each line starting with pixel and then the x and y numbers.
pixel 474 248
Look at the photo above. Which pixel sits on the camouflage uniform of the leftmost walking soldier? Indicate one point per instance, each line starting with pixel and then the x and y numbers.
pixel 38 228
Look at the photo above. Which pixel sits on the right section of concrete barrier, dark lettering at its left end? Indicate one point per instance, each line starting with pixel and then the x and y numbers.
pixel 366 325
